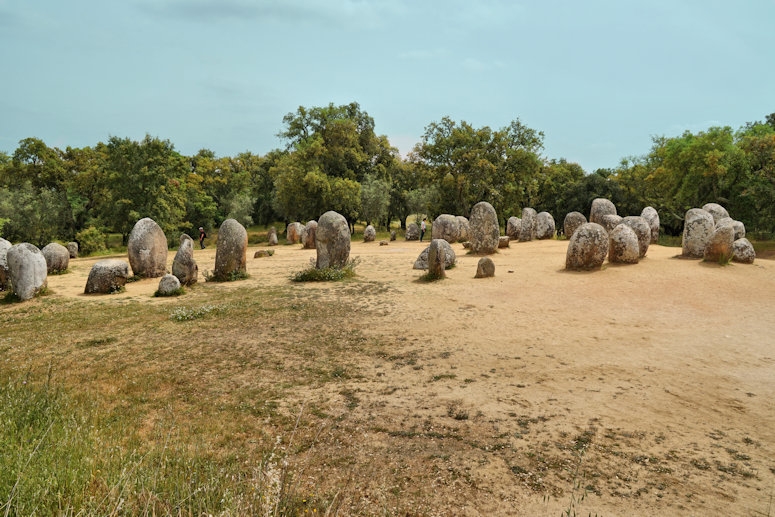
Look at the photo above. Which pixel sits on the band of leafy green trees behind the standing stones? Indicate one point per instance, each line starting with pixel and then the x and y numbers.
pixel 334 160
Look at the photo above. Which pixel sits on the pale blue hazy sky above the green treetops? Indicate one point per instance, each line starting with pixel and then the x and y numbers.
pixel 599 78
